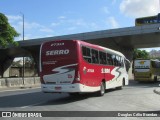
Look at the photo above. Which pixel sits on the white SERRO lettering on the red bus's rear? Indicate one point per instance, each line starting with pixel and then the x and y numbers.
pixel 57 52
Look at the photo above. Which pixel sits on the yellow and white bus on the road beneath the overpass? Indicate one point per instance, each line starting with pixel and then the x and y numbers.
pixel 146 70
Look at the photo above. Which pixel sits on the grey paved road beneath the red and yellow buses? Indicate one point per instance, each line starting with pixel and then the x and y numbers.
pixel 134 97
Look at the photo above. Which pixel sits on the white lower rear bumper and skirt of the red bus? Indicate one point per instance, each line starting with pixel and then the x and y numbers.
pixel 70 88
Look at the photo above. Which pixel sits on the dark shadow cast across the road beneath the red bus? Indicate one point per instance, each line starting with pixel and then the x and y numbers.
pixel 42 99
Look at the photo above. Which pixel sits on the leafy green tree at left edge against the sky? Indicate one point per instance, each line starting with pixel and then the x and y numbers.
pixel 7 32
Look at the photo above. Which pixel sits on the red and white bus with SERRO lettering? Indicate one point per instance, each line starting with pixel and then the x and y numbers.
pixel 74 66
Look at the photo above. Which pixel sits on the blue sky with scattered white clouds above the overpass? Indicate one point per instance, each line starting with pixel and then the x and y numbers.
pixel 48 18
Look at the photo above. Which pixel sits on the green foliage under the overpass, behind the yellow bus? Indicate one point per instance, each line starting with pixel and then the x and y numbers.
pixel 140 54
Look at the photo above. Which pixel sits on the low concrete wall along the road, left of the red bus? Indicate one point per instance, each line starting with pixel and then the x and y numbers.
pixel 19 82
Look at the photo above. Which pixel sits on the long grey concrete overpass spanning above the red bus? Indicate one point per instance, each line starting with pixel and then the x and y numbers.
pixel 122 39
